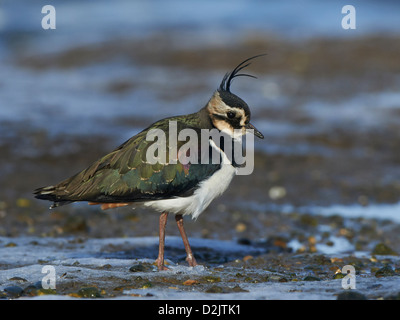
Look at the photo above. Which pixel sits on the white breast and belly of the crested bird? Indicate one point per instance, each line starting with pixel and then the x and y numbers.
pixel 208 190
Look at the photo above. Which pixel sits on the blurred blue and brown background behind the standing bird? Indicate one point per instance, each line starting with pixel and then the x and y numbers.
pixel 326 99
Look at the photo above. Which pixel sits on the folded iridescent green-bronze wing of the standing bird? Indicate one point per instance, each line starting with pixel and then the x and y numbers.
pixel 127 175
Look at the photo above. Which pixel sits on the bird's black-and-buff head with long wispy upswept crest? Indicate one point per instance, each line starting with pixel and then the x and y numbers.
pixel 229 112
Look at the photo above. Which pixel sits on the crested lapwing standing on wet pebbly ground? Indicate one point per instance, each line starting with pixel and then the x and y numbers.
pixel 125 177
